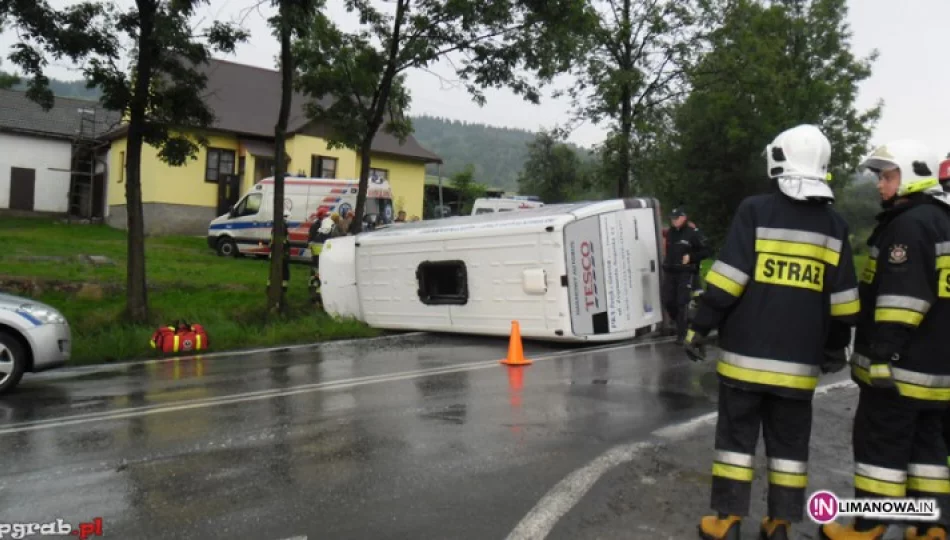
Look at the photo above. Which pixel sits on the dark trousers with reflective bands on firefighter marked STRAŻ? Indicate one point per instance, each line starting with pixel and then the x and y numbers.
pixel 786 428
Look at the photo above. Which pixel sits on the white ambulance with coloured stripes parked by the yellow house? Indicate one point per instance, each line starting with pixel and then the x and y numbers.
pixel 246 229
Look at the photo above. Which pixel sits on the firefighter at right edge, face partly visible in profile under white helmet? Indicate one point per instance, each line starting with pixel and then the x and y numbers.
pixel 901 352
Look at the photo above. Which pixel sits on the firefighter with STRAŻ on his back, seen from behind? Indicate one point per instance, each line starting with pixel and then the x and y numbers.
pixel 783 296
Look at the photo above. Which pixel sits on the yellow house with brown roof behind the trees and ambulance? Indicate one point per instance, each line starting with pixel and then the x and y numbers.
pixel 240 151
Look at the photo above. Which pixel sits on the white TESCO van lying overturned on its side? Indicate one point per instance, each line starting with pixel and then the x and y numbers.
pixel 567 272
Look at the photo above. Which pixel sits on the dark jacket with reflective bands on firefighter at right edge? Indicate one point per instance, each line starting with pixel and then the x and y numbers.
pixel 905 299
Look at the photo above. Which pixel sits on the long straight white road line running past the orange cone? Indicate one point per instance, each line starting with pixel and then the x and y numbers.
pixel 284 392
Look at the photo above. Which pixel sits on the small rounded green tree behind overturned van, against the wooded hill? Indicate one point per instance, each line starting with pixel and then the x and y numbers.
pixel 554 171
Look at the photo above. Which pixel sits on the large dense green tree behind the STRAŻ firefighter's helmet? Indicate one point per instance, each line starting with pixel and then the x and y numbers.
pixel 773 65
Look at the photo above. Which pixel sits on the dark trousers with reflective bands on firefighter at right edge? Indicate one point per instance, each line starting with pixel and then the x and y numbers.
pixel 899 450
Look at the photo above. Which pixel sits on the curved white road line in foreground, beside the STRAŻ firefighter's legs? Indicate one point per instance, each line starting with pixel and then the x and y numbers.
pixel 557 502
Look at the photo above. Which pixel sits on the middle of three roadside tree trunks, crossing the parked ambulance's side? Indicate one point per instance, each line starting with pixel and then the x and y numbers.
pixel 275 293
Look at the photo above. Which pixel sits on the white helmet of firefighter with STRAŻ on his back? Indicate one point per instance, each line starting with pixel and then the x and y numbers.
pixel 798 159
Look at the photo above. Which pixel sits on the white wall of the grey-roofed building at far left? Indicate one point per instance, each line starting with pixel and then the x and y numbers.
pixel 51 192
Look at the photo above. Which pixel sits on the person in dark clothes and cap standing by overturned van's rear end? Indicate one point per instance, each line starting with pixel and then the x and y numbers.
pixel 685 249
